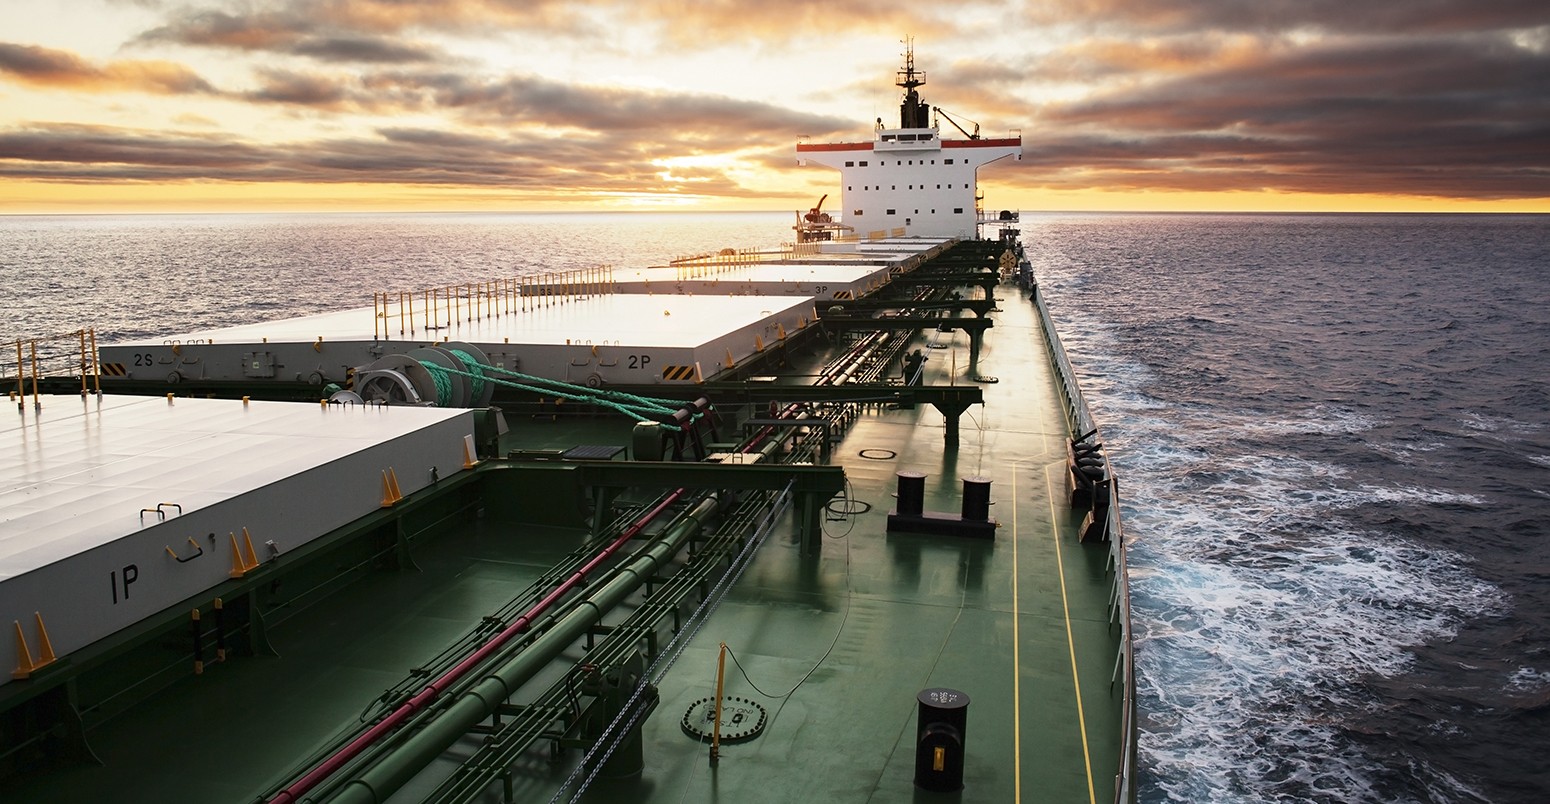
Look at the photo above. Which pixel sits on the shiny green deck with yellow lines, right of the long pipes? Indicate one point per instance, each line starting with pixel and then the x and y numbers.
pixel 993 619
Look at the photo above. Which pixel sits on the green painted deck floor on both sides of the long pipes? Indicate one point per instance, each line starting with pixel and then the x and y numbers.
pixel 1019 624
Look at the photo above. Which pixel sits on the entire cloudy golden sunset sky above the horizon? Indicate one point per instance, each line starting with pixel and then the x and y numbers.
pixel 151 106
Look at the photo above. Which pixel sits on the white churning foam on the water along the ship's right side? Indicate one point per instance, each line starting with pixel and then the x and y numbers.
pixel 1259 608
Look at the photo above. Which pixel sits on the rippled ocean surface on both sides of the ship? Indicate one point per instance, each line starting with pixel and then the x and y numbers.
pixel 1332 436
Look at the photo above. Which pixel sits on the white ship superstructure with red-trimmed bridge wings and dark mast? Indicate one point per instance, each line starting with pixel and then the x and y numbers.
pixel 909 177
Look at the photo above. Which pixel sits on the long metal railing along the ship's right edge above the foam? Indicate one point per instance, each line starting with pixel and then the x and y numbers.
pixel 1081 421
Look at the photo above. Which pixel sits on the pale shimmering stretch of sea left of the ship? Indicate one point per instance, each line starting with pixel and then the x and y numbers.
pixel 146 277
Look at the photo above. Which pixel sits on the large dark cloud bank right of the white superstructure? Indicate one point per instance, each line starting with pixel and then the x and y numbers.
pixel 1447 117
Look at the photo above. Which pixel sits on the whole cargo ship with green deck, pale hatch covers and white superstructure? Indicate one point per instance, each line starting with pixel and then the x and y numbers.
pixel 821 523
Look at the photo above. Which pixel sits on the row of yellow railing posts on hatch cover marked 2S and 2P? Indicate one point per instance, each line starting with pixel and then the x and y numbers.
pixel 438 309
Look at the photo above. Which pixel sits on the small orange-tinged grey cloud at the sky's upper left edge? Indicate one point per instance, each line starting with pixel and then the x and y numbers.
pixel 58 69
